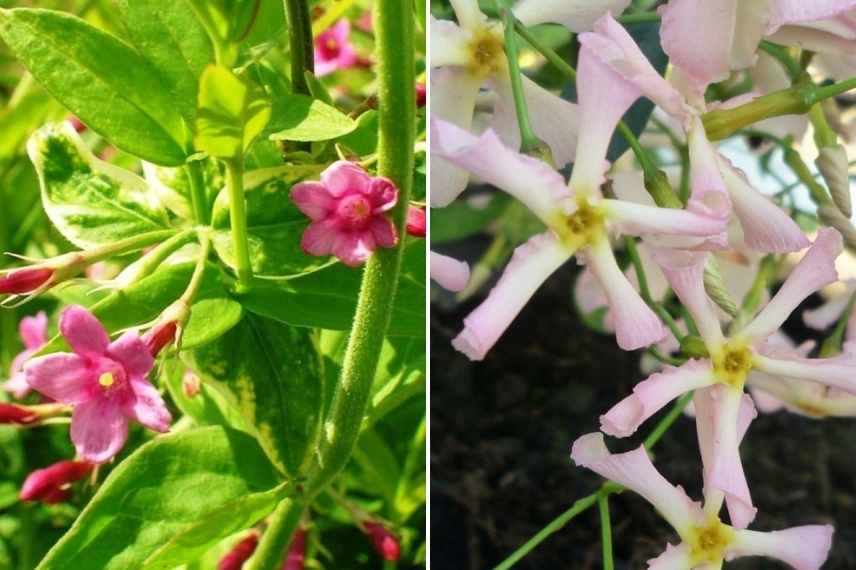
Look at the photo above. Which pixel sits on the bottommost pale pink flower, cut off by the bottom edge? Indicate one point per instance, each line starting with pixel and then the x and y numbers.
pixel 706 542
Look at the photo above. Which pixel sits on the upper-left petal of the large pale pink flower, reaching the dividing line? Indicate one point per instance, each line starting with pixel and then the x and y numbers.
pixel 531 181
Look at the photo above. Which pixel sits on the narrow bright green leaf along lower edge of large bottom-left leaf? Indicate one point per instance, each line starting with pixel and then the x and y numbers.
pixel 192 542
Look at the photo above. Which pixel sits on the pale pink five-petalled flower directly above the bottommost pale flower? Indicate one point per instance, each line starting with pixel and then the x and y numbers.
pixel 720 378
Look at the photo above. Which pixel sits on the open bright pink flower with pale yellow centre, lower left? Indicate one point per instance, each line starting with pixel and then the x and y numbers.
pixel 104 381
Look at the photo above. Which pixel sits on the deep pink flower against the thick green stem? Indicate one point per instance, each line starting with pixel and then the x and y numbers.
pixel 348 212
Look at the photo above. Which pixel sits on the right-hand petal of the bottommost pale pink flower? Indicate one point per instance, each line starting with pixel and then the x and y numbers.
pixel 803 547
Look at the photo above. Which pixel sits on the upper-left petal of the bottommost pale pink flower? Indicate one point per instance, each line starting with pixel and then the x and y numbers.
pixel 635 471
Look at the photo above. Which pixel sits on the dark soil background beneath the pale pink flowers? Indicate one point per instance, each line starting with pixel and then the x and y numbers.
pixel 501 433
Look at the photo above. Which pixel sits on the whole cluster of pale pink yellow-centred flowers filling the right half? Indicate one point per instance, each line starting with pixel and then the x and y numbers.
pixel 722 217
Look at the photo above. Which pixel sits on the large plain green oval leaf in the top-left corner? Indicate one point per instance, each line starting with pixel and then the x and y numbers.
pixel 110 86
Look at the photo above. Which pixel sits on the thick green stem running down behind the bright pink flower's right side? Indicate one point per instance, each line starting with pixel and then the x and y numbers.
pixel 397 111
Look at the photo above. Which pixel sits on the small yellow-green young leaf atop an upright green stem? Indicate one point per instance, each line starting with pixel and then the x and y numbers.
pixel 232 112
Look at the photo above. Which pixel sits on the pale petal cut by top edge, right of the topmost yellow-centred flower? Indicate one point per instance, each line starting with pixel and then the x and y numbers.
pixel 576 15
